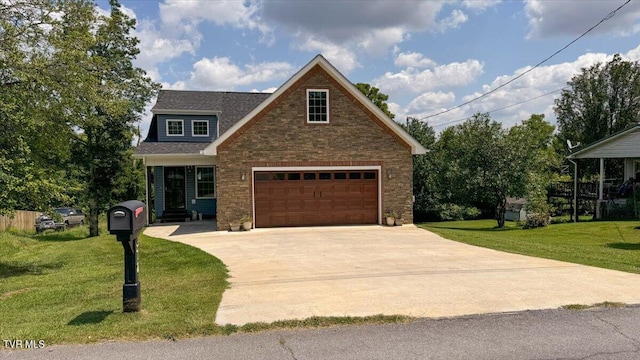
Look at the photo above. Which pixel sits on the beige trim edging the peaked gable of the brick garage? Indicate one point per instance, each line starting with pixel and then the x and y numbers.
pixel 334 75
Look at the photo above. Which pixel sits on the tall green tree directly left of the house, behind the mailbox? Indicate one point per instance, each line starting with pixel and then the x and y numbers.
pixel 106 102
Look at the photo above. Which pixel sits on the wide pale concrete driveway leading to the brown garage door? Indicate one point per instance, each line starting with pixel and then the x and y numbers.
pixel 295 273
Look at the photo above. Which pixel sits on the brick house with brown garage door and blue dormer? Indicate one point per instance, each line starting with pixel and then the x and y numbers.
pixel 315 152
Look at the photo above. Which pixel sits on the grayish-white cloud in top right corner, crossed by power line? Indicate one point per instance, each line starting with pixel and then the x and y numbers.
pixel 567 18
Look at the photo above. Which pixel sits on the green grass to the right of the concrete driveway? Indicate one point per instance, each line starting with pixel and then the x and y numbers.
pixel 607 244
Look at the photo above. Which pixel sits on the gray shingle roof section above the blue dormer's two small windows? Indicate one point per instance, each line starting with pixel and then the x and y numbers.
pixel 232 106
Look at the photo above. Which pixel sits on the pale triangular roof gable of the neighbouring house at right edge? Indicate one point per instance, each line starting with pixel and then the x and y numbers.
pixel 624 144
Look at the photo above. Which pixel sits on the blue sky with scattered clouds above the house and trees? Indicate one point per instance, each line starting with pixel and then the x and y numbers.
pixel 428 56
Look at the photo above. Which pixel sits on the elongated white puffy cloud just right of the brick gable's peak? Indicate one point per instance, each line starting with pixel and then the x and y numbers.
pixel 412 80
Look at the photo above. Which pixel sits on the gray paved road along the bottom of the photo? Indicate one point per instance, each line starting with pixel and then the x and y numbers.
pixel 597 334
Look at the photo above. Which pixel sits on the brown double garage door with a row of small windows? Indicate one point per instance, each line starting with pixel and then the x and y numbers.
pixel 305 198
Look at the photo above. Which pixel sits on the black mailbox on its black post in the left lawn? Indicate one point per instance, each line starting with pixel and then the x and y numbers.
pixel 126 220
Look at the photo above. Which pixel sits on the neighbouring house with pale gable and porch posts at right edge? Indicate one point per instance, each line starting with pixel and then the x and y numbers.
pixel 621 145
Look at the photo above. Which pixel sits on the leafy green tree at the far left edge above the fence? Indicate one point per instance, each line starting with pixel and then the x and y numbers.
pixel 33 144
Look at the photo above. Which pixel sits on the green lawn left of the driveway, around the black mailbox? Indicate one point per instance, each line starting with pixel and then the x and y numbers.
pixel 64 287
